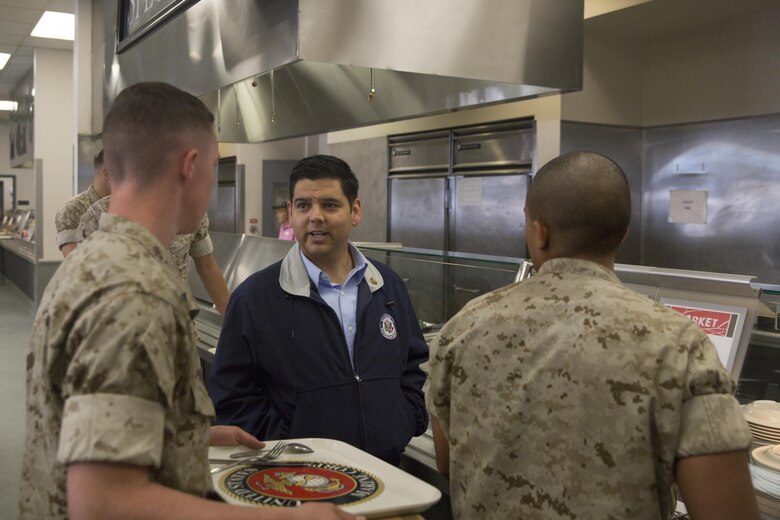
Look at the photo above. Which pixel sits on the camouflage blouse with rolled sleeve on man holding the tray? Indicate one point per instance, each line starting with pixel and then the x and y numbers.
pixel 113 374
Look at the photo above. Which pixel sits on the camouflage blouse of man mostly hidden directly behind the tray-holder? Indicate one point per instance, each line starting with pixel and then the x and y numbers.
pixel 183 246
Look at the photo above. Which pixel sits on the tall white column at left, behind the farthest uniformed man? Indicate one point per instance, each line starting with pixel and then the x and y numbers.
pixel 54 142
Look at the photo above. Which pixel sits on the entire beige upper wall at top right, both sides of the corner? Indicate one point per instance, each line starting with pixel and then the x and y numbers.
pixel 717 72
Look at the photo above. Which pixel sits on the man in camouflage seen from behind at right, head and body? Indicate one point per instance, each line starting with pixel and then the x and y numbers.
pixel 569 395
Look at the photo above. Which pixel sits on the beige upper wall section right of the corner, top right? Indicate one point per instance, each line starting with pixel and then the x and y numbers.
pixel 726 71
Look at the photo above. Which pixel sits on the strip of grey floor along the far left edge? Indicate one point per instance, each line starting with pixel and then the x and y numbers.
pixel 16 319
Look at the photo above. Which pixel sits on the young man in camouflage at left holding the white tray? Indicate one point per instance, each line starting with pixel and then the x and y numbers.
pixel 118 419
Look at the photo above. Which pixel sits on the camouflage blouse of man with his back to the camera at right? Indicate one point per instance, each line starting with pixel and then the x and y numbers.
pixel 570 396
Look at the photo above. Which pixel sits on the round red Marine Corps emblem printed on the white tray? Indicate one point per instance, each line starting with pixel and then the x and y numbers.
pixel 292 483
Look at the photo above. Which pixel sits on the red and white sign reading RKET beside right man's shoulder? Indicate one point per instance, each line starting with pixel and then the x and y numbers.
pixel 723 324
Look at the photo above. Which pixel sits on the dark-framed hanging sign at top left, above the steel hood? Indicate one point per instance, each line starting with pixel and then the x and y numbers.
pixel 137 19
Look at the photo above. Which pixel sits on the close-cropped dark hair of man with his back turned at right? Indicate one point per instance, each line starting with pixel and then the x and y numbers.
pixel 584 200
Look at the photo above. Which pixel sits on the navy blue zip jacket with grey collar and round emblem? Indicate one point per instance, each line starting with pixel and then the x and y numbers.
pixel 282 369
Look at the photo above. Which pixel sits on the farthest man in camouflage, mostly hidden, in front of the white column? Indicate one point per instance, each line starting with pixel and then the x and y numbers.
pixel 67 219
